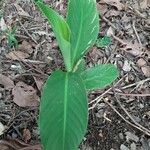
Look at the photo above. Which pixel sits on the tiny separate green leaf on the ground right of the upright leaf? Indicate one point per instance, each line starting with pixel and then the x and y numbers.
pixel 103 42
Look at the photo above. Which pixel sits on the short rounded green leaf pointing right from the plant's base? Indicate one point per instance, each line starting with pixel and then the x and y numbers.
pixel 100 76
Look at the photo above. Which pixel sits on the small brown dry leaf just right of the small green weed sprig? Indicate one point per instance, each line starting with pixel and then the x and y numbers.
pixel 26 47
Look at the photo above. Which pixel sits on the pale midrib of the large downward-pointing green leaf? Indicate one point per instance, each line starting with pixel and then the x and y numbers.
pixel 65 109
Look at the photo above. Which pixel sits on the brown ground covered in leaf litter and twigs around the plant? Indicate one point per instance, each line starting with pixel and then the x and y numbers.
pixel 119 116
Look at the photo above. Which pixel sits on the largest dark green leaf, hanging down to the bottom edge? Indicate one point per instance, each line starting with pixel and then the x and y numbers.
pixel 63 112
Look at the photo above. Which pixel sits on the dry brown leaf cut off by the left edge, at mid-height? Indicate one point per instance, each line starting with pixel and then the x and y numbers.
pixel 6 82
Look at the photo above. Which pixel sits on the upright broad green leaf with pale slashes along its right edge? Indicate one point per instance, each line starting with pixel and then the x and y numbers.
pixel 83 22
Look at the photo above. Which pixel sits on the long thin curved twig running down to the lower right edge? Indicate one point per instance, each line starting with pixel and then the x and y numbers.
pixel 133 125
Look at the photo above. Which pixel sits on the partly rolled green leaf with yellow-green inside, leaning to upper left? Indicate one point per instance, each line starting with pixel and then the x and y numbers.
pixel 61 30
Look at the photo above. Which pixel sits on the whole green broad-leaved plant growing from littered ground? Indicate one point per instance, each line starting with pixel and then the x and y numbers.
pixel 63 115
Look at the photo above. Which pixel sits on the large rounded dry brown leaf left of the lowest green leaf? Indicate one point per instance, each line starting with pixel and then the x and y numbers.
pixel 25 95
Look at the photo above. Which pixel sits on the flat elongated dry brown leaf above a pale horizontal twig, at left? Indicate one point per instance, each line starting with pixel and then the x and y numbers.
pixel 17 55
